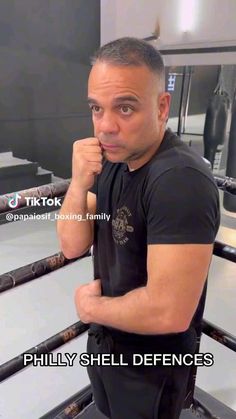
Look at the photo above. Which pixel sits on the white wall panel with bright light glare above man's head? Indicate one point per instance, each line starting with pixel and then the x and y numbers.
pixel 182 22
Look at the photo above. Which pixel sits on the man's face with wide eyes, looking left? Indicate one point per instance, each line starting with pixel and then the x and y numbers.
pixel 128 112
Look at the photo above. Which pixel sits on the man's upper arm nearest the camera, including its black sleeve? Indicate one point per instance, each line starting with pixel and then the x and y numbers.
pixel 181 226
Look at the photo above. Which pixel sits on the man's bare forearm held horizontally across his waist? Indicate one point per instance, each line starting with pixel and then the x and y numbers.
pixel 134 312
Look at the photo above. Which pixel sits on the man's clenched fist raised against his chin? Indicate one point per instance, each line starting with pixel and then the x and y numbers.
pixel 86 162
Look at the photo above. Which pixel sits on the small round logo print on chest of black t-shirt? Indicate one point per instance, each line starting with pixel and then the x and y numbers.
pixel 120 225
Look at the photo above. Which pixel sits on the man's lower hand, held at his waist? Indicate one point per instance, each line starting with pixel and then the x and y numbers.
pixel 86 296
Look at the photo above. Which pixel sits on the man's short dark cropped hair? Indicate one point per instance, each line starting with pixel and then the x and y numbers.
pixel 129 51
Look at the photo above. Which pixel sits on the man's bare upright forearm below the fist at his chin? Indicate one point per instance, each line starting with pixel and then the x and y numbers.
pixel 75 235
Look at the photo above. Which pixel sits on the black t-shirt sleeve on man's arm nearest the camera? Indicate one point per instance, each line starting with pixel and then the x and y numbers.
pixel 182 206
